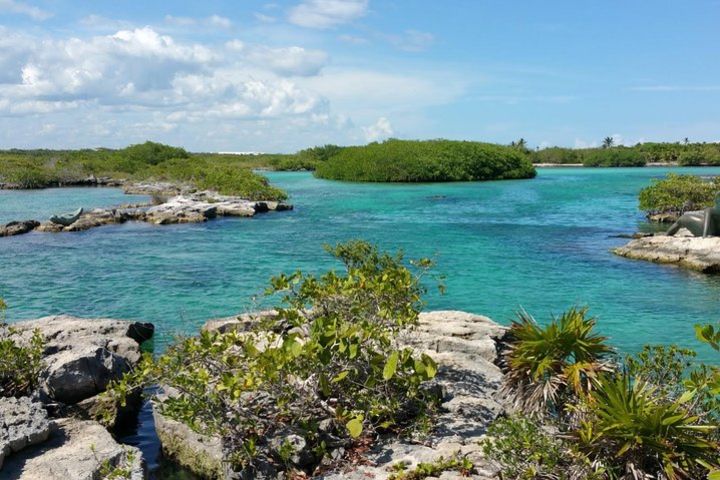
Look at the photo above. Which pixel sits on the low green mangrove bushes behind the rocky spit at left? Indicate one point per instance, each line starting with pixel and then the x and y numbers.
pixel 148 161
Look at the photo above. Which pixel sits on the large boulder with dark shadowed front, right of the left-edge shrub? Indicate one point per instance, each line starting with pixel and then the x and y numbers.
pixel 83 355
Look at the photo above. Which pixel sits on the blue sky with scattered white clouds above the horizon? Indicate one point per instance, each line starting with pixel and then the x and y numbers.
pixel 278 76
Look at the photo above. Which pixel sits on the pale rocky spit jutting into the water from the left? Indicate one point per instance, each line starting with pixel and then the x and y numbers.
pixel 172 204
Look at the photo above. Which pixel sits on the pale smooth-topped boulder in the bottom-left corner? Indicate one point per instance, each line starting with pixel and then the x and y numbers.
pixel 77 450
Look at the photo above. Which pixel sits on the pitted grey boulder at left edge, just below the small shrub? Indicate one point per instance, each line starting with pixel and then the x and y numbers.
pixel 23 423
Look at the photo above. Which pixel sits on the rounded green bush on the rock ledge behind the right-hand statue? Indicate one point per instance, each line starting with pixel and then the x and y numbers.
pixel 678 194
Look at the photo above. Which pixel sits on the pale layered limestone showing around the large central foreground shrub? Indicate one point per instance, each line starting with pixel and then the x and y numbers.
pixel 463 344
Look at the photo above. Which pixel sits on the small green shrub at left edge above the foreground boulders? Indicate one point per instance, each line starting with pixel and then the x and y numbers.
pixel 20 359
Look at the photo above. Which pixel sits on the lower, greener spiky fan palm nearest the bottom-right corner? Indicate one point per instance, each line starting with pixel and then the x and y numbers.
pixel 638 434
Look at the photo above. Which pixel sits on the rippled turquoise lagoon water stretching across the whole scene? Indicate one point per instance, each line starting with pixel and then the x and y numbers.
pixel 541 244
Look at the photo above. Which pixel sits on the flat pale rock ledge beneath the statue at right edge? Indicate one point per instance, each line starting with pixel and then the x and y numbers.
pixel 695 253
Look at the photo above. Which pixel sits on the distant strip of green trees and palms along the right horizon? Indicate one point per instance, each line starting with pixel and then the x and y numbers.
pixel 636 156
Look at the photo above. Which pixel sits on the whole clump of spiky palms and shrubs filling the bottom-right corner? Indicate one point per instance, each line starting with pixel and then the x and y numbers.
pixel 654 416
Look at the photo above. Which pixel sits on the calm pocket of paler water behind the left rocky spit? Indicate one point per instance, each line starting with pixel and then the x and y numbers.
pixel 41 204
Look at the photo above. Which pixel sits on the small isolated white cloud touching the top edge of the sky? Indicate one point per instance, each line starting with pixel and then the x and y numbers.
pixel 327 13
